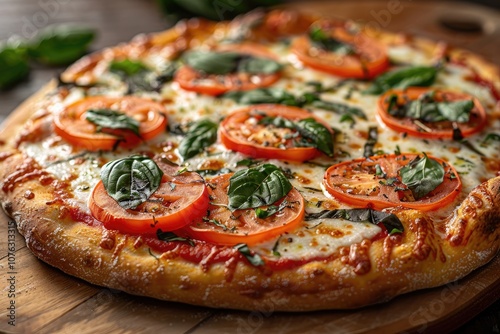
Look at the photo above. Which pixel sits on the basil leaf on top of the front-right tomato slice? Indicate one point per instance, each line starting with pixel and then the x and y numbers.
pixel 422 175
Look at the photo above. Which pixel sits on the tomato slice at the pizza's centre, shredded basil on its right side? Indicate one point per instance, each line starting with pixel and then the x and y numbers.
pixel 242 132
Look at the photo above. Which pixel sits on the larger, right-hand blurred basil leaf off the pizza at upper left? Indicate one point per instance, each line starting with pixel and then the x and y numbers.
pixel 61 44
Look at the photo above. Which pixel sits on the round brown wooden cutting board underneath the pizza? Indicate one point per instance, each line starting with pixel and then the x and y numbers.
pixel 48 301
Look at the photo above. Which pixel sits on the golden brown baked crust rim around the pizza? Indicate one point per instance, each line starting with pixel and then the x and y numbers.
pixel 430 253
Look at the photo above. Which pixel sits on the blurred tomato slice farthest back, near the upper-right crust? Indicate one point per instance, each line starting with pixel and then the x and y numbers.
pixel 369 60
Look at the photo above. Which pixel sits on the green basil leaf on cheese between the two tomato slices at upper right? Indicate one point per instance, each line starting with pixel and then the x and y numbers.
pixel 402 78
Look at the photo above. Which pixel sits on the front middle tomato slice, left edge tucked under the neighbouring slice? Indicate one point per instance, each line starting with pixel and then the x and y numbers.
pixel 224 227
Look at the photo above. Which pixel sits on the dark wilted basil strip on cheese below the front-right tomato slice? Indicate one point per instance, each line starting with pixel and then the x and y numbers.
pixel 389 220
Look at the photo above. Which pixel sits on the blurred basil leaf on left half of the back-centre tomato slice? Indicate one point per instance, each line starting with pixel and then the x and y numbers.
pixel 212 62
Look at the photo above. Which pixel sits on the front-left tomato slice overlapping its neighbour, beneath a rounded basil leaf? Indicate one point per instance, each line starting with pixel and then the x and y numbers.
pixel 180 200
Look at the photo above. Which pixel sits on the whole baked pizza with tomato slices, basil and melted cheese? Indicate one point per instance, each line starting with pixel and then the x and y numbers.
pixel 281 157
